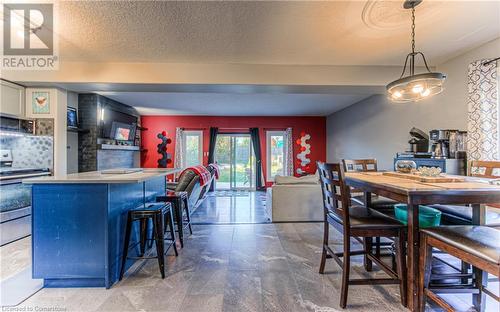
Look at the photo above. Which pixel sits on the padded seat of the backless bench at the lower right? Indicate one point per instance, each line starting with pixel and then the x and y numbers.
pixel 481 241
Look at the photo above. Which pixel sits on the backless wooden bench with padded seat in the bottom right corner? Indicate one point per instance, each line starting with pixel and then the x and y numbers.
pixel 477 245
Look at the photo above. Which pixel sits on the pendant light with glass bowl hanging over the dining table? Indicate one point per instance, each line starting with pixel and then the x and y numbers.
pixel 415 87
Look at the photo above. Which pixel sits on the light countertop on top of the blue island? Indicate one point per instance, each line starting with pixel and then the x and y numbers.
pixel 93 177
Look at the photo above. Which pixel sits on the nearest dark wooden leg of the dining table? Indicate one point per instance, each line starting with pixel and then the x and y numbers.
pixel 413 253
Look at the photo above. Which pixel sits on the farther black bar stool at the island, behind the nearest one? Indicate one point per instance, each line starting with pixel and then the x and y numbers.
pixel 180 203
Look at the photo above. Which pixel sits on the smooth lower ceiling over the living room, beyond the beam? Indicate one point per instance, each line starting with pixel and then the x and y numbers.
pixel 232 104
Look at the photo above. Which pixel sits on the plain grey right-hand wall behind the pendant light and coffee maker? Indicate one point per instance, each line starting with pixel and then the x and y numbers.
pixel 376 127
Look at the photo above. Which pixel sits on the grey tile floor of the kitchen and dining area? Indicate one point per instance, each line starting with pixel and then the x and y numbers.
pixel 243 267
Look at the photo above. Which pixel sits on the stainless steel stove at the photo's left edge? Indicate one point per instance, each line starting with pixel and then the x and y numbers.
pixel 15 204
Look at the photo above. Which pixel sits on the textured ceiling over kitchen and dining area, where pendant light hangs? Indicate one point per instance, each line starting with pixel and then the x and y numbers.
pixel 258 32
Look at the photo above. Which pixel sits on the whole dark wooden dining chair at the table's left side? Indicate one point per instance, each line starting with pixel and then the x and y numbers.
pixel 355 221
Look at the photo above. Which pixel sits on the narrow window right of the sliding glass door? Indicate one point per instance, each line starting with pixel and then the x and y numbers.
pixel 276 151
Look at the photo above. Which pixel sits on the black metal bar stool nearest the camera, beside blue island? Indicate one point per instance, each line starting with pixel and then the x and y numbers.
pixel 160 214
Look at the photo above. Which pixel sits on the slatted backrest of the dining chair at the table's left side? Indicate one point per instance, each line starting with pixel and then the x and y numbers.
pixel 336 195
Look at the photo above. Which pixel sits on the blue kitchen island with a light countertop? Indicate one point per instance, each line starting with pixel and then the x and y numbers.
pixel 78 223
